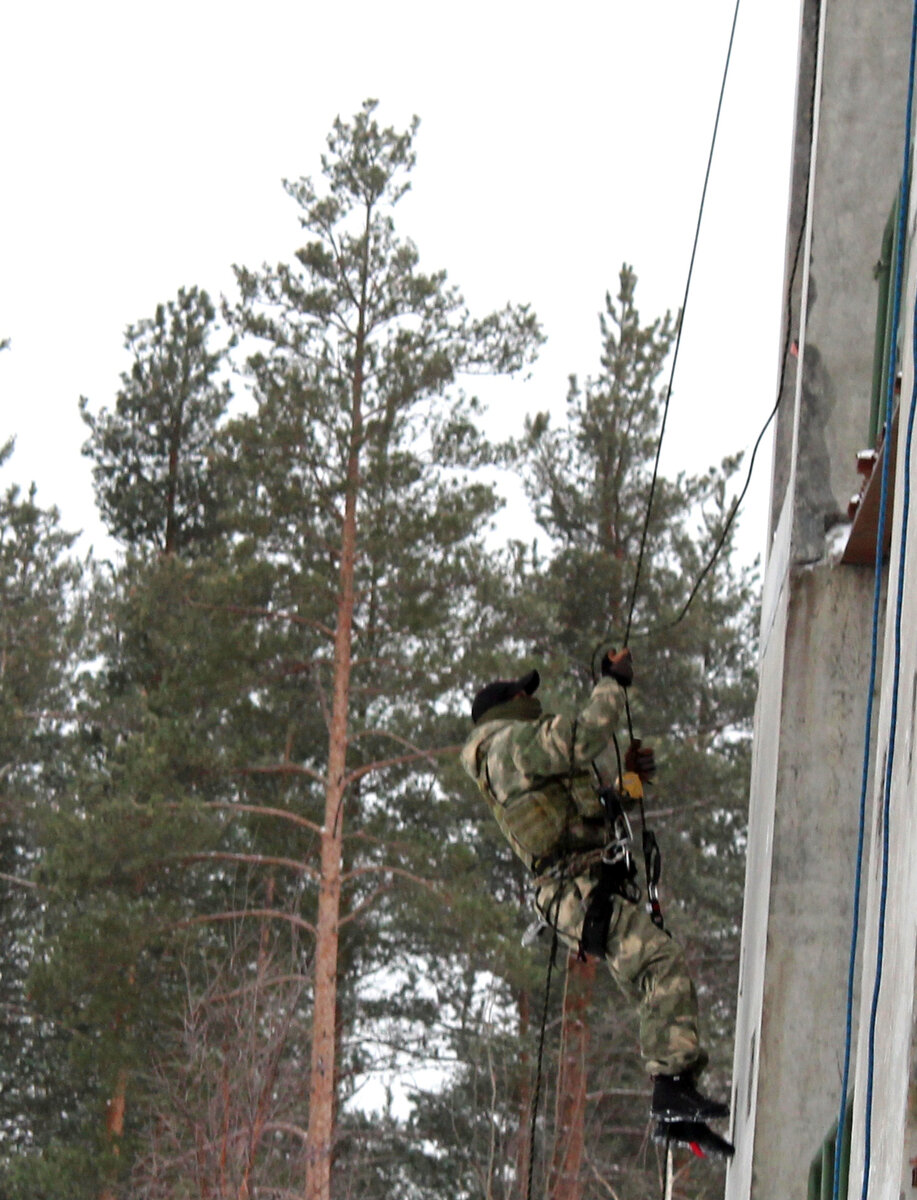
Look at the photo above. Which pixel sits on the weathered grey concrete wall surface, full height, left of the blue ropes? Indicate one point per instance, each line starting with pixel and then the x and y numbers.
pixel 817 616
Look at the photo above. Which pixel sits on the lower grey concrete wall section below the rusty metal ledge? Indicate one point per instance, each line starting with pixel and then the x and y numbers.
pixel 799 909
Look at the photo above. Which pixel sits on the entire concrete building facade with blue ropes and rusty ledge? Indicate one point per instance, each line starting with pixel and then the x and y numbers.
pixel 834 779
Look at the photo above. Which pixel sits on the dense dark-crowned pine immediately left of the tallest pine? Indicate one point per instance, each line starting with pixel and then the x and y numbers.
pixel 137 753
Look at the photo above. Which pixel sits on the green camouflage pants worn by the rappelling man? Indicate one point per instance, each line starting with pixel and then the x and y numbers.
pixel 646 964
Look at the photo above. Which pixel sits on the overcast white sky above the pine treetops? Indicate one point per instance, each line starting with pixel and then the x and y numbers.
pixel 143 149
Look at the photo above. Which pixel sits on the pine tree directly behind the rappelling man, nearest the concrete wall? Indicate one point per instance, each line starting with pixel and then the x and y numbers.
pixel 589 481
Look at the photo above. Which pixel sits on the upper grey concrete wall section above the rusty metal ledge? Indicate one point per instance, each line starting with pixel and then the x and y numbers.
pixel 854 185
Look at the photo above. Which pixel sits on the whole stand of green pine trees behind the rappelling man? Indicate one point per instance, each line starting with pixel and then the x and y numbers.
pixel 262 937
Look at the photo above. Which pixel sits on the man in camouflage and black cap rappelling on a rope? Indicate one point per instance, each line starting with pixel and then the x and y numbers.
pixel 535 770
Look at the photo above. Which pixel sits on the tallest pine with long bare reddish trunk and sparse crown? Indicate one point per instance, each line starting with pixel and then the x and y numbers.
pixel 358 457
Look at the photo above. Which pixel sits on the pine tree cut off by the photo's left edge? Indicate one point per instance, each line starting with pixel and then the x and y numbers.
pixel 39 633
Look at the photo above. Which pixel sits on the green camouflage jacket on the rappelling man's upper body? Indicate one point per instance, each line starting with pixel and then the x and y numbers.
pixel 537 776
